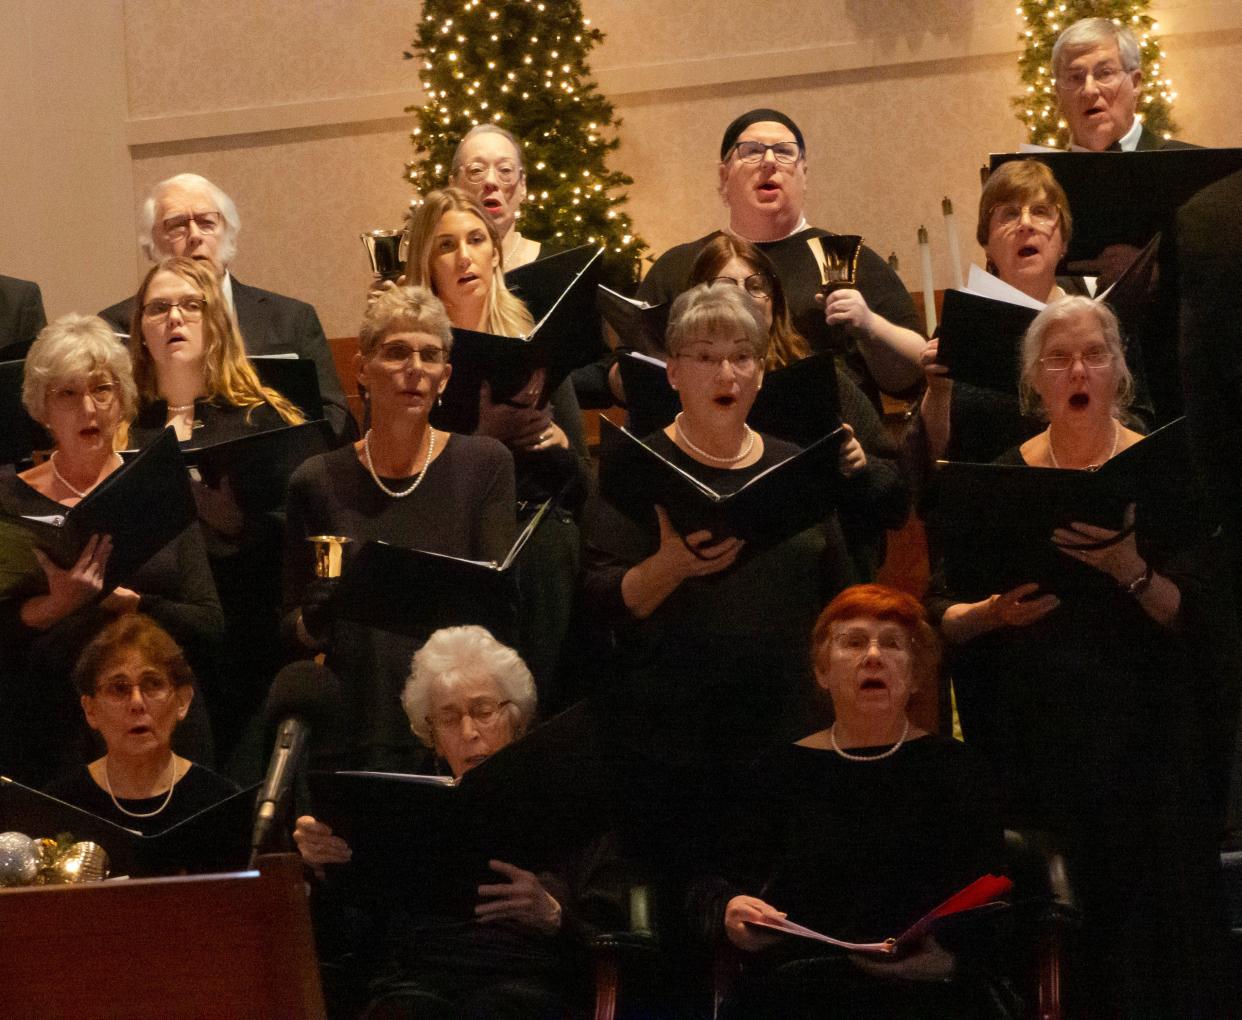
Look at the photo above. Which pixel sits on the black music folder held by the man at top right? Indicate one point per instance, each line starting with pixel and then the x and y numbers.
pixel 1128 198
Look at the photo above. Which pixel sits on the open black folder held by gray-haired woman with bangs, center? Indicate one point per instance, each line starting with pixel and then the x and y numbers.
pixel 776 505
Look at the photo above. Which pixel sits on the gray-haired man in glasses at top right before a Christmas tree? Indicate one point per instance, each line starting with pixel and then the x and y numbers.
pixel 1099 71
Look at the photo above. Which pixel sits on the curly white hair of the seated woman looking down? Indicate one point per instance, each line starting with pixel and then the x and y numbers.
pixel 454 655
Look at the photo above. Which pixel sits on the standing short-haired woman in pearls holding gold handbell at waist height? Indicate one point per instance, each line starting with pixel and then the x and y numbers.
pixel 406 484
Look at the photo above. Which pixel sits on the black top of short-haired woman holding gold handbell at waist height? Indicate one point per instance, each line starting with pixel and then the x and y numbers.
pixel 464 509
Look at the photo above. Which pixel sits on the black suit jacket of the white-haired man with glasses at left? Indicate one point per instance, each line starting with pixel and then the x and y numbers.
pixel 273 324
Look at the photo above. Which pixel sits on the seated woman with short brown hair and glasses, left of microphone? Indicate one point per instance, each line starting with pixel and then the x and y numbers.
pixel 136 688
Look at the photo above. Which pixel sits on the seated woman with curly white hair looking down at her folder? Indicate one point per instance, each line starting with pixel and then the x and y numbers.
pixel 469 698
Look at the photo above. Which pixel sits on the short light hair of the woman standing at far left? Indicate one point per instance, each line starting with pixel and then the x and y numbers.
pixel 76 346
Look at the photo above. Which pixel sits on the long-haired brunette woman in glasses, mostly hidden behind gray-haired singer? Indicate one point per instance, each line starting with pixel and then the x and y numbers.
pixel 879 500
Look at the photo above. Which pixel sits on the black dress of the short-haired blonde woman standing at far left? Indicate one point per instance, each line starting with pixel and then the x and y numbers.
pixel 42 726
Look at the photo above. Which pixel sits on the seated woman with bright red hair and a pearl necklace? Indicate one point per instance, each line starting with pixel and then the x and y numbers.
pixel 858 831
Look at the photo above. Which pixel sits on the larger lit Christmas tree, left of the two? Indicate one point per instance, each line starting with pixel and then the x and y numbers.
pixel 522 65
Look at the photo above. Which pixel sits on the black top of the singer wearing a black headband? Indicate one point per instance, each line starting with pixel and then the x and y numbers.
pixel 800 276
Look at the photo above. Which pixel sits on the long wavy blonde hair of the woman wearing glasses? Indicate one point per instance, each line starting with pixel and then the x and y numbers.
pixel 228 375
